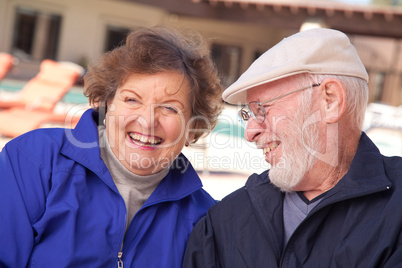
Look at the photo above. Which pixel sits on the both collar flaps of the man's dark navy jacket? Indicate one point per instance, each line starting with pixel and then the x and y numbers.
pixel 365 176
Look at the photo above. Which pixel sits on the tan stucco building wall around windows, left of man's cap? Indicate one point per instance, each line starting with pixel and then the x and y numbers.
pixel 84 25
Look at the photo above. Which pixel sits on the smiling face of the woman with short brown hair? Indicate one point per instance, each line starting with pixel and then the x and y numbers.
pixel 147 119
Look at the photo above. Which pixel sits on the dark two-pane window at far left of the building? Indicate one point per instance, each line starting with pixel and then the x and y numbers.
pixel 36 34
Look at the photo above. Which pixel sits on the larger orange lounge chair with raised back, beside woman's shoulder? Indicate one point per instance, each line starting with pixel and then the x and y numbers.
pixel 38 99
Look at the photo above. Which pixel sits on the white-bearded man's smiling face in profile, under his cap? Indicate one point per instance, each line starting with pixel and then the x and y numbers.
pixel 284 137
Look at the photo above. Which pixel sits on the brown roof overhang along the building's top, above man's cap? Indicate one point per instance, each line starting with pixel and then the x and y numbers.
pixel 291 14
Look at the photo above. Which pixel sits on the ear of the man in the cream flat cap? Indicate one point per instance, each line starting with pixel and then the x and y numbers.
pixel 334 99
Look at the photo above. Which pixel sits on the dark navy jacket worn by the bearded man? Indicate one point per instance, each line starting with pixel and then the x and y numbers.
pixel 357 224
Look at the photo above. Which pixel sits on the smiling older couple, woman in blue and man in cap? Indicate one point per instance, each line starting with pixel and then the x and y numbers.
pixel 117 192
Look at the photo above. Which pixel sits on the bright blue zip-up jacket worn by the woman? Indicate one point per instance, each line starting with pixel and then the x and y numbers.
pixel 61 208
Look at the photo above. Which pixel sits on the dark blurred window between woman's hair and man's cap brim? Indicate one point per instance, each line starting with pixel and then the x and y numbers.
pixel 227 59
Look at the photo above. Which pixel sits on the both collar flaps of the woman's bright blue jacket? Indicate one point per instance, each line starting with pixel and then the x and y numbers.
pixel 82 145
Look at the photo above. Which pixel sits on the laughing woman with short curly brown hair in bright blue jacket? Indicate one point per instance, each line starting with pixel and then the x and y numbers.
pixel 115 190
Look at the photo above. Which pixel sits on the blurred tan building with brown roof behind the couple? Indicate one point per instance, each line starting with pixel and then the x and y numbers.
pixel 238 31
